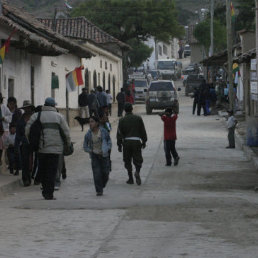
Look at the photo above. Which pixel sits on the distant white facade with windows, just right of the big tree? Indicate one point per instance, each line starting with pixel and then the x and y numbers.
pixel 161 50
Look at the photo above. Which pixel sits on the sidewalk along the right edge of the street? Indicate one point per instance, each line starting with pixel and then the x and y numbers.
pixel 240 133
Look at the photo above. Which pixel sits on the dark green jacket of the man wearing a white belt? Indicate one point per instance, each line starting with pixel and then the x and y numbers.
pixel 131 126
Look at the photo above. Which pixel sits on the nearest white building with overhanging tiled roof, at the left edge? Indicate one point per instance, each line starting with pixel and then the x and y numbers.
pixel 36 55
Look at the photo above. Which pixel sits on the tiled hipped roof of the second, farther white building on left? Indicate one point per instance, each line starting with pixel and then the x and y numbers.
pixel 81 28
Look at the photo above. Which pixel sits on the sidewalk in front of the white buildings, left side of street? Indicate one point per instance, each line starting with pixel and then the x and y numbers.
pixel 8 182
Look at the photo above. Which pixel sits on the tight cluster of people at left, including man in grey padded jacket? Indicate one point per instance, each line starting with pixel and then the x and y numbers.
pixel 41 164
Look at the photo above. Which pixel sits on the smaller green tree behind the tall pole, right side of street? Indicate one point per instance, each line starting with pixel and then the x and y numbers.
pixel 202 34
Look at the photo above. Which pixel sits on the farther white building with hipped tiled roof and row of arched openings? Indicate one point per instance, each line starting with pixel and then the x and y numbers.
pixel 106 67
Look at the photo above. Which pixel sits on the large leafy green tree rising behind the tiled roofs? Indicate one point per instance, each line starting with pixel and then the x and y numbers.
pixel 133 21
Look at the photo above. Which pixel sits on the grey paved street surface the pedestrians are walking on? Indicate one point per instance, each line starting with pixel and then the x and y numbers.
pixel 205 207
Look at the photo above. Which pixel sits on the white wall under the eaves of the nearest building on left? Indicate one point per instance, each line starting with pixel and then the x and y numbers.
pixel 28 77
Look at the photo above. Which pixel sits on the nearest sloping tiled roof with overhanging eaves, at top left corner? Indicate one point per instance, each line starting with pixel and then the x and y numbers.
pixel 39 37
